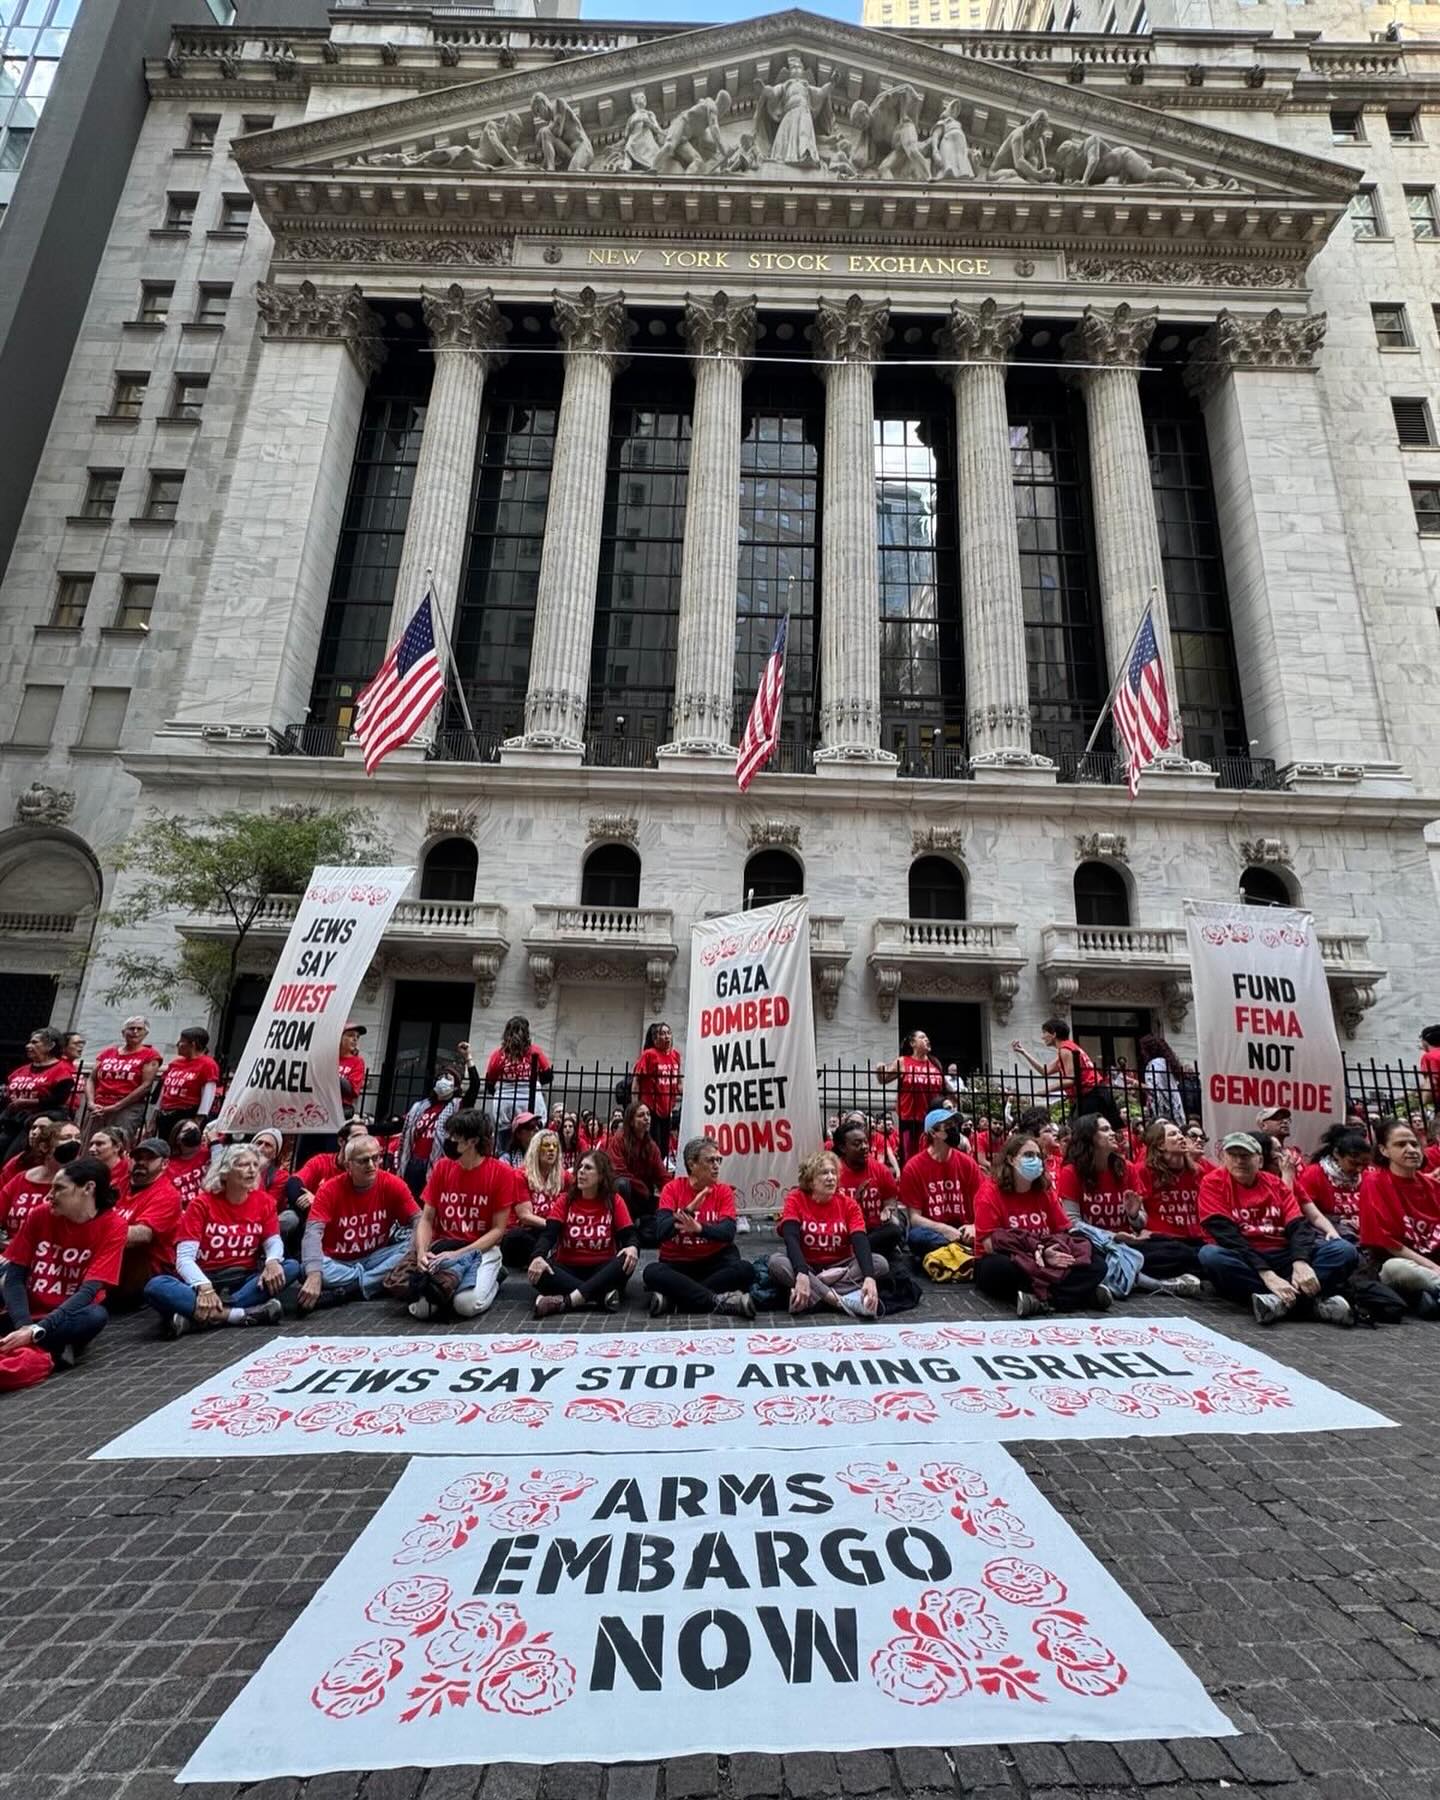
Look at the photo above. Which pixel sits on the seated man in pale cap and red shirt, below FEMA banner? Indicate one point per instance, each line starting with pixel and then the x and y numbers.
pixel 1264 1254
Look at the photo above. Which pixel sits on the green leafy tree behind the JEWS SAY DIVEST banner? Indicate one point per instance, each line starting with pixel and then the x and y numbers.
pixel 222 867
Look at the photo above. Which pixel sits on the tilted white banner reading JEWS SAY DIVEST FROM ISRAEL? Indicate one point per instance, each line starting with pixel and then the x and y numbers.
pixel 291 1072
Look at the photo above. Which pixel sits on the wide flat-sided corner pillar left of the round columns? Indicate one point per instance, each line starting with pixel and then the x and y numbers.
pixel 274 552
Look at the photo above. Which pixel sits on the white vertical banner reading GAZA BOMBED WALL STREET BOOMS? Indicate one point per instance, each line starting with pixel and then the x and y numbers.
pixel 751 1048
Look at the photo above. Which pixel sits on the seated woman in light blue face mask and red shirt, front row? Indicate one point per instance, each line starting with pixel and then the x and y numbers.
pixel 1030 1259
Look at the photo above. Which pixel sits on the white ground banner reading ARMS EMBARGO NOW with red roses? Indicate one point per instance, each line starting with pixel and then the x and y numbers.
pixel 539 1610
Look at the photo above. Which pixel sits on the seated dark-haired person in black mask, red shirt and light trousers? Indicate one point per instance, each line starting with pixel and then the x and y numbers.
pixel 467 1209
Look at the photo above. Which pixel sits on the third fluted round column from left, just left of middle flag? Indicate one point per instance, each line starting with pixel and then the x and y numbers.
pixel 721 336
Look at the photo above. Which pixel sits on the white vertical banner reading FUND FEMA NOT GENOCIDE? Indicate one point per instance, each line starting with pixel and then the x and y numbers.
pixel 1264 1020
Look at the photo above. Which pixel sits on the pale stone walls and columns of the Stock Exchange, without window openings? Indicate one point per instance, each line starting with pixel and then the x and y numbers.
pixel 1230 229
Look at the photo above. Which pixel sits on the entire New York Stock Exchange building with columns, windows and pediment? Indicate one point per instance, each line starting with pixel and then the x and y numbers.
pixel 629 341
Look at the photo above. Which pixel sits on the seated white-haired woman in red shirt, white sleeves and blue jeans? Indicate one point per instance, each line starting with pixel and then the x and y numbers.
pixel 229 1261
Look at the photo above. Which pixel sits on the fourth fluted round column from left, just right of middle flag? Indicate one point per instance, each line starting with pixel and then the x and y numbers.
pixel 850 337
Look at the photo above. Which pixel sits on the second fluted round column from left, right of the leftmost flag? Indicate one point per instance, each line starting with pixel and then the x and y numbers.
pixel 593 328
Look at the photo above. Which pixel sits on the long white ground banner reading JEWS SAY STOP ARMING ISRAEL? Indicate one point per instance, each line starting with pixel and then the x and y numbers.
pixel 760 1389
